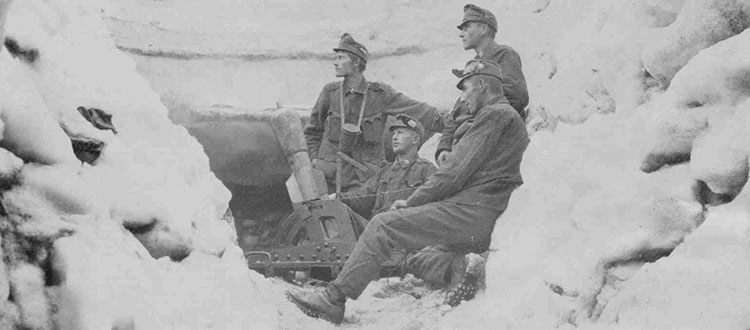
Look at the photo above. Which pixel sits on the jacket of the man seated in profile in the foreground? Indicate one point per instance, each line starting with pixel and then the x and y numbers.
pixel 485 161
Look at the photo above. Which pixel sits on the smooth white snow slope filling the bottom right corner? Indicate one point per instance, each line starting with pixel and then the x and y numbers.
pixel 702 283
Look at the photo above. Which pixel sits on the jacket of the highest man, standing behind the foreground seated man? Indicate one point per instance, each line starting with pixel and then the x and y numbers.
pixel 514 88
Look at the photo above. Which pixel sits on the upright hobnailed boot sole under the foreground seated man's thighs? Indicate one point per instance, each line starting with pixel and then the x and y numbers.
pixel 466 283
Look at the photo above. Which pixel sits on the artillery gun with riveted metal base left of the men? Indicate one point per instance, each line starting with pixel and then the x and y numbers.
pixel 313 236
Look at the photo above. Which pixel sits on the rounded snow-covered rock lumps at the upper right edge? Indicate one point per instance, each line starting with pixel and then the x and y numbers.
pixel 703 111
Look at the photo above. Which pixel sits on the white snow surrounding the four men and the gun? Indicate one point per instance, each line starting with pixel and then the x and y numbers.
pixel 608 231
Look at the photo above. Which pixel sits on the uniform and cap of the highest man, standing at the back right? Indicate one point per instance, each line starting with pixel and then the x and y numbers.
pixel 514 82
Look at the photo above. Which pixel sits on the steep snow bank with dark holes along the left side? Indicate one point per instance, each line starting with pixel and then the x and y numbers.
pixel 97 245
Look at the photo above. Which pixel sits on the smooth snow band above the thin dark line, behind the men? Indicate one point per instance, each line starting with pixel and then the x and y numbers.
pixel 262 30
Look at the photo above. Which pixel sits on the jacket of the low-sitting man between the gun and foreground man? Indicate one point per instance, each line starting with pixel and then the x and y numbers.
pixel 397 180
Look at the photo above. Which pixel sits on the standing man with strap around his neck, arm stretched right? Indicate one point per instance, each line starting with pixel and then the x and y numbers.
pixel 350 116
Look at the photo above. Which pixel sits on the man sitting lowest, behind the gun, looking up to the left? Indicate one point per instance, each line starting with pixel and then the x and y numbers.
pixel 397 180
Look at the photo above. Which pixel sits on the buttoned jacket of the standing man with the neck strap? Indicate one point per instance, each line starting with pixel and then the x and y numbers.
pixel 324 127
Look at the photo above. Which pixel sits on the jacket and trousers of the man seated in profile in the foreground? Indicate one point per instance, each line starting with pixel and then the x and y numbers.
pixel 457 206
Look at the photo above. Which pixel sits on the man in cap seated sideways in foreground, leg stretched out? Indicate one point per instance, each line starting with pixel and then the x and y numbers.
pixel 456 207
